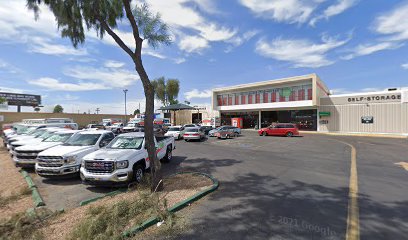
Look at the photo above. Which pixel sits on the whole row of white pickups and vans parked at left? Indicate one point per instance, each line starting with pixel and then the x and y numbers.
pixel 98 156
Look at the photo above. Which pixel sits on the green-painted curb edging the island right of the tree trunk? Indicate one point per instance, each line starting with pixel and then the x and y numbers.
pixel 178 206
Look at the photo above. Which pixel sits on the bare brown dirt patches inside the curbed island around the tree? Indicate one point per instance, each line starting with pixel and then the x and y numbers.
pixel 176 189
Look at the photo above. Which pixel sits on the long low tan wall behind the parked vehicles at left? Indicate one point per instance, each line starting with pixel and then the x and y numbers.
pixel 81 119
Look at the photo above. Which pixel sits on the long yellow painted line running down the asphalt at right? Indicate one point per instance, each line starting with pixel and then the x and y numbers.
pixel 353 218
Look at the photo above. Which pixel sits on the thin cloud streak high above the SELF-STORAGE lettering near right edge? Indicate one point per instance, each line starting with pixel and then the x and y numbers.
pixel 367 49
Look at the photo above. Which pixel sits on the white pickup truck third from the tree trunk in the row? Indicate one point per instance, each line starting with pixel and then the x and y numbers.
pixel 26 155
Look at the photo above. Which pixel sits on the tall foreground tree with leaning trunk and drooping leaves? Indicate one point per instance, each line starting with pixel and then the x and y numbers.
pixel 103 16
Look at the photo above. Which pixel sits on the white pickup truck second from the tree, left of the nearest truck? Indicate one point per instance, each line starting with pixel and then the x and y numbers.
pixel 66 159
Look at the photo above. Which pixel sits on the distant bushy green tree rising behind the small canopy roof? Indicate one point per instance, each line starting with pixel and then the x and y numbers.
pixel 166 91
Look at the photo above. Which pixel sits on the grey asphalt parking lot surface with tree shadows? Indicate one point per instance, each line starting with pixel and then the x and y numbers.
pixel 281 188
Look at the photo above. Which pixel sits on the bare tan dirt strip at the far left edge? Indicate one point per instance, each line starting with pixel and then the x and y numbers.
pixel 15 196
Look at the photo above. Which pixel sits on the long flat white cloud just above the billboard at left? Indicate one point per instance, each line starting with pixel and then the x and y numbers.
pixel 54 84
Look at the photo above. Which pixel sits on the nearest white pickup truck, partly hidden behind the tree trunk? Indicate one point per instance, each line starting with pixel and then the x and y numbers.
pixel 123 160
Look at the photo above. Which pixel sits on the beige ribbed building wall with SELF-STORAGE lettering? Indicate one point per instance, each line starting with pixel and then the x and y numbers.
pixel 389 112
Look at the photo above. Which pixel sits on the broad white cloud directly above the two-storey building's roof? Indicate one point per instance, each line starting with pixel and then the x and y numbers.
pixel 300 52
